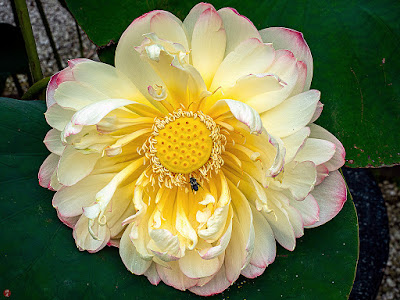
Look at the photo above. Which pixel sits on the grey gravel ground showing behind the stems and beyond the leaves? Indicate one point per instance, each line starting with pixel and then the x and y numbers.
pixel 66 38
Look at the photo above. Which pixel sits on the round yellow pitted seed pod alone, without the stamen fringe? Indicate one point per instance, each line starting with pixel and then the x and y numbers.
pixel 184 145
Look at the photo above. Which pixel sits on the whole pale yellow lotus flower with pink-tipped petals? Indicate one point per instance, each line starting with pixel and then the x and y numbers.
pixel 196 152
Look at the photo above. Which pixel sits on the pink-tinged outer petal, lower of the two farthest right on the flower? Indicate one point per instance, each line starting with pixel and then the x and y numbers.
pixel 331 195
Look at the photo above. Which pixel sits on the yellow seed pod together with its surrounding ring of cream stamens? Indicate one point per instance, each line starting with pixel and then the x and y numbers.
pixel 184 144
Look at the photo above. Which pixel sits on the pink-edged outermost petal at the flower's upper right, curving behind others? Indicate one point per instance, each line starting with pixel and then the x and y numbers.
pixel 285 38
